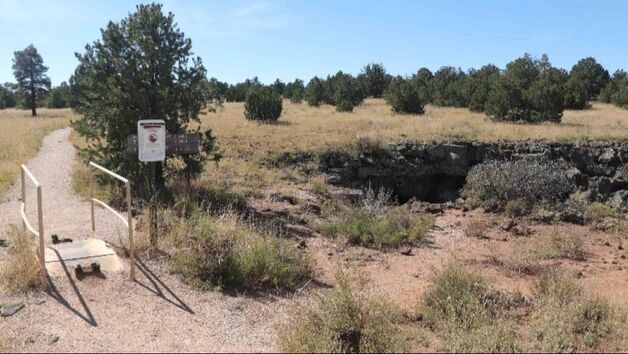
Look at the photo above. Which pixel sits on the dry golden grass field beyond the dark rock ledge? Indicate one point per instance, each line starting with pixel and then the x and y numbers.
pixel 302 128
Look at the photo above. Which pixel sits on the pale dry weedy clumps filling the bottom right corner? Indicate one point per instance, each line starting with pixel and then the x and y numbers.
pixel 468 315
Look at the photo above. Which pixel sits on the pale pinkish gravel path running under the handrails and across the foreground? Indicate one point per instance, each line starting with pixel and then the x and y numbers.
pixel 156 313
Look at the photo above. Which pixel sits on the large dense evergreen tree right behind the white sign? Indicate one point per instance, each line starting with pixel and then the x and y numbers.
pixel 141 68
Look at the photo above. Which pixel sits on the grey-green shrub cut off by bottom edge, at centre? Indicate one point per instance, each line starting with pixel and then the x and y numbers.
pixel 345 320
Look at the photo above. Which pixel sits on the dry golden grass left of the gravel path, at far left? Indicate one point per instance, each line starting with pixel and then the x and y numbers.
pixel 21 136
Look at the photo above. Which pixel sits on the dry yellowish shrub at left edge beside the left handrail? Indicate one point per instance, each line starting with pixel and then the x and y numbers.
pixel 21 270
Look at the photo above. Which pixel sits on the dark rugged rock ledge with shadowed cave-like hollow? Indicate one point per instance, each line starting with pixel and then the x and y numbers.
pixel 436 171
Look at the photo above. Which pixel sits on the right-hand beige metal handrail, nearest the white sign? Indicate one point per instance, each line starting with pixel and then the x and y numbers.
pixel 128 223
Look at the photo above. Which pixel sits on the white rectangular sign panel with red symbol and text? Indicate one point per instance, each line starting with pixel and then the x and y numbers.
pixel 151 140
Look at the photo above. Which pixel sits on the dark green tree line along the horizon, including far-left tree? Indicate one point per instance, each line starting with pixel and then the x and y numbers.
pixel 527 89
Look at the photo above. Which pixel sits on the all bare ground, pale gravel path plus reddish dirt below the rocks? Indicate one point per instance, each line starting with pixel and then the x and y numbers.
pixel 161 313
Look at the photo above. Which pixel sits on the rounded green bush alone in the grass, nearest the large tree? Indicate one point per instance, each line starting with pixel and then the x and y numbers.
pixel 263 104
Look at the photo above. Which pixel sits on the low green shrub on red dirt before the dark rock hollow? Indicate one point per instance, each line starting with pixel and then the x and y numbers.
pixel 390 230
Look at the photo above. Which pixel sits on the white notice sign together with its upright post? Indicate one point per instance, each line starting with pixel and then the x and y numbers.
pixel 151 147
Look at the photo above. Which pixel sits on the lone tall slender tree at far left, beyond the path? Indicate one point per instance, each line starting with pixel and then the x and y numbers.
pixel 30 73
